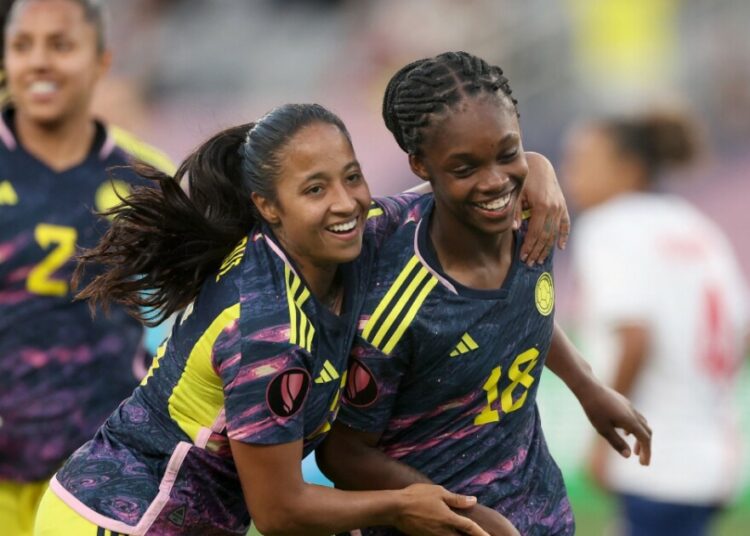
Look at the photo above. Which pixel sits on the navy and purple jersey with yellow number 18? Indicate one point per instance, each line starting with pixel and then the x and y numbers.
pixel 449 376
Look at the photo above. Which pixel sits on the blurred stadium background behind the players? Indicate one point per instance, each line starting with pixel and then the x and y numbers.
pixel 185 68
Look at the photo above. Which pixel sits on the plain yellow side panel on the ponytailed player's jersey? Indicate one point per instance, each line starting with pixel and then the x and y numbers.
pixel 198 397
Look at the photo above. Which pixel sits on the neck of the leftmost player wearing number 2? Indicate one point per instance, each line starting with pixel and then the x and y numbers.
pixel 60 145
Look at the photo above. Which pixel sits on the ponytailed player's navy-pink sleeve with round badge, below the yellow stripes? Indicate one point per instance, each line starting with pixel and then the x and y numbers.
pixel 265 389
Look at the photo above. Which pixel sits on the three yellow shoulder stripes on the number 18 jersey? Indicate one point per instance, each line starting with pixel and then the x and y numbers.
pixel 402 300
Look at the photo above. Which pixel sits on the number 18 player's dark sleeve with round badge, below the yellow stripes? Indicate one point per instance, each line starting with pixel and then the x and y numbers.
pixel 371 388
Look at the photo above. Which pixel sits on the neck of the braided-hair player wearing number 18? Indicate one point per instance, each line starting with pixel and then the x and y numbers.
pixel 475 260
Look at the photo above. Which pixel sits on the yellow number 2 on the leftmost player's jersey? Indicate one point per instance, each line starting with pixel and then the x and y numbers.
pixel 63 240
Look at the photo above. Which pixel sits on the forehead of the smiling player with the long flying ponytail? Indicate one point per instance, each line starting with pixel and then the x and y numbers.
pixel 315 148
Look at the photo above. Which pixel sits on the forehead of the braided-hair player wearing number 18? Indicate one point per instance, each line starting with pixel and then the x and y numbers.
pixel 472 125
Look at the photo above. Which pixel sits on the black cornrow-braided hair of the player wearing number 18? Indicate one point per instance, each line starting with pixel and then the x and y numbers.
pixel 431 86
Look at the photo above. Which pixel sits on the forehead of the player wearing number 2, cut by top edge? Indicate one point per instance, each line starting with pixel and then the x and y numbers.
pixel 46 16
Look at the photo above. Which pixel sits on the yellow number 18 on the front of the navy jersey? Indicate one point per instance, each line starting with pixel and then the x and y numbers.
pixel 519 373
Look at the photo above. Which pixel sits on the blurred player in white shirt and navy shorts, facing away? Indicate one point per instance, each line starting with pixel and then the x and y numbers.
pixel 664 316
